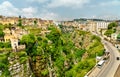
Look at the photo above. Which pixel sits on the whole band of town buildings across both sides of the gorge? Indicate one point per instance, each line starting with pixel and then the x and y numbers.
pixel 14 34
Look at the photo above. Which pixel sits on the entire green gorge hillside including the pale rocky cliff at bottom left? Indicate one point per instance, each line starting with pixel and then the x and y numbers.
pixel 54 54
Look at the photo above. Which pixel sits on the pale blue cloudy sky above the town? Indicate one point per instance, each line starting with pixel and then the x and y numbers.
pixel 61 9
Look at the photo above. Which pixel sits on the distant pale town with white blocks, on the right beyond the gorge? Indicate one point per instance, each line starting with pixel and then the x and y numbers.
pixel 94 26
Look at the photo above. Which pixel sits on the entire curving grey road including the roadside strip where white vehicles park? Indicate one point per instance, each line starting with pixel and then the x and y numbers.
pixel 110 67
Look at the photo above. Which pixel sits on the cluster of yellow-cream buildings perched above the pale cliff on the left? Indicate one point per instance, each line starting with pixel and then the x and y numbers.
pixel 13 36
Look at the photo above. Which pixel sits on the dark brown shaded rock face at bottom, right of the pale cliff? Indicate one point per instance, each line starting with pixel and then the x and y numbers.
pixel 39 66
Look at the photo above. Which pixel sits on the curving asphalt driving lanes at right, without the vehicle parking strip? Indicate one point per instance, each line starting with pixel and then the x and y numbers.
pixel 111 67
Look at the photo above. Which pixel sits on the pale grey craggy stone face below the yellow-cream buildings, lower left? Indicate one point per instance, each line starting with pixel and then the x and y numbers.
pixel 19 66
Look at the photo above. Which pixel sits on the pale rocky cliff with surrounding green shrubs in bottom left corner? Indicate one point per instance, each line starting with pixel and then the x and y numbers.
pixel 17 65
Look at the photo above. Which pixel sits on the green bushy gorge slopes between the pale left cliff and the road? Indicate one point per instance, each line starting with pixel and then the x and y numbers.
pixel 62 54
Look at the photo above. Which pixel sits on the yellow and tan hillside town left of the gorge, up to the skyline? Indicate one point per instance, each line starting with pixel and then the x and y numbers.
pixel 13 33
